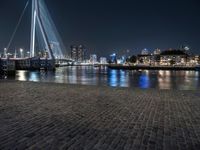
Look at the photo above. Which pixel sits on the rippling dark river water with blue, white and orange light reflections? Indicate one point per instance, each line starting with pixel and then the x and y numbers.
pixel 184 80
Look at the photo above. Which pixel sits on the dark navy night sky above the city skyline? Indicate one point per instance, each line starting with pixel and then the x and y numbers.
pixel 106 26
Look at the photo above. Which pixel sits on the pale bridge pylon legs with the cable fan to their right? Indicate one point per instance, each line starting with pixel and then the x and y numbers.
pixel 43 28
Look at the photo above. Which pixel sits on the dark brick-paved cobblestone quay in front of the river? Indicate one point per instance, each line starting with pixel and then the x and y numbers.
pixel 58 116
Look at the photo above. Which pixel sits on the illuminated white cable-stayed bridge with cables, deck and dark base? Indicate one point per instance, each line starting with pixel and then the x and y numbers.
pixel 44 38
